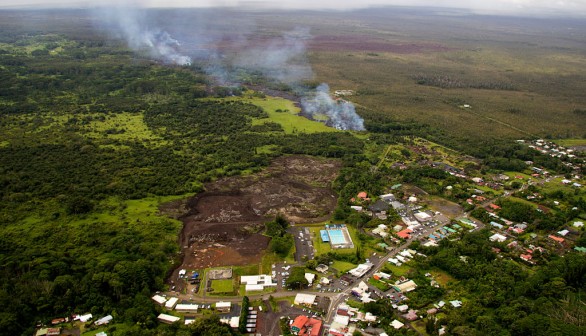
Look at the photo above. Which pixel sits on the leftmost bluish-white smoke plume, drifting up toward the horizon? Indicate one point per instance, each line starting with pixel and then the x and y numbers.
pixel 128 22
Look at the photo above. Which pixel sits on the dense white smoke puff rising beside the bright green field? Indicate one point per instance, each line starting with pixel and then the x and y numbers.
pixel 341 114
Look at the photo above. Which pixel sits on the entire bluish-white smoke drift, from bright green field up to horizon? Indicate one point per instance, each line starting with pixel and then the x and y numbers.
pixel 283 58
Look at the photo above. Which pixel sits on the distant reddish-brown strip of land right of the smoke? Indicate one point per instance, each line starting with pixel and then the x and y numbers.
pixel 367 44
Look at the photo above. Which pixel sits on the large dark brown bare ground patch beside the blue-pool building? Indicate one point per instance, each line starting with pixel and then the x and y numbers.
pixel 223 225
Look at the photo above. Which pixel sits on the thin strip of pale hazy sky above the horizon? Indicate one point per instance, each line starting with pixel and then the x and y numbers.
pixel 571 7
